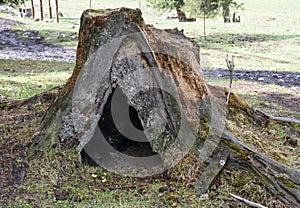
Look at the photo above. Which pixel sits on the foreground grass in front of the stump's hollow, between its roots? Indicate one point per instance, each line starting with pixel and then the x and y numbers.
pixel 50 179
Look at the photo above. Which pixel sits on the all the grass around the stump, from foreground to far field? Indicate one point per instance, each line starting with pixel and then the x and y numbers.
pixel 268 38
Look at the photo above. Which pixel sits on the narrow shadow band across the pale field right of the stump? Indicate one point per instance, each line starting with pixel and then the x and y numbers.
pixel 239 39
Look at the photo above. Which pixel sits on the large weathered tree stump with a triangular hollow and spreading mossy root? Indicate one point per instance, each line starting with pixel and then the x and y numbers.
pixel 157 73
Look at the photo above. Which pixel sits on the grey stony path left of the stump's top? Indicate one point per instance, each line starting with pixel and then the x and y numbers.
pixel 28 44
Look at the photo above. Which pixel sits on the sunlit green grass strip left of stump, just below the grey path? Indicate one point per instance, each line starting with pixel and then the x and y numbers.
pixel 24 79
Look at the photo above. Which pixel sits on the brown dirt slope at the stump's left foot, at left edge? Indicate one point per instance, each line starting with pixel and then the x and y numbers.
pixel 18 123
